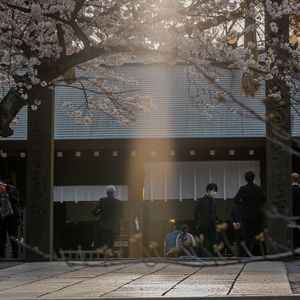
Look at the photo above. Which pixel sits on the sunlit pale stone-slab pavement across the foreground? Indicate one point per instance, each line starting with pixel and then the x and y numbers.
pixel 132 279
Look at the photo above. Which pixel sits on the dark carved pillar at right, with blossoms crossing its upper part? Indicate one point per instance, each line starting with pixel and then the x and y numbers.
pixel 278 143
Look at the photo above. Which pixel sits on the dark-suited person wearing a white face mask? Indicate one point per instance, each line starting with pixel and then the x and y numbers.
pixel 205 217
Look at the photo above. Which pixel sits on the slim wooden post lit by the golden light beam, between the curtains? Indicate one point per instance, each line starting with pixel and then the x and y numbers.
pixel 135 198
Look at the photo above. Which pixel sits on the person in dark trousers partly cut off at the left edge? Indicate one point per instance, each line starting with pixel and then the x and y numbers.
pixel 9 217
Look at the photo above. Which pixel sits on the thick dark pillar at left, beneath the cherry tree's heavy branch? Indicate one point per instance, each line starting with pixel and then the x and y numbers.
pixel 40 161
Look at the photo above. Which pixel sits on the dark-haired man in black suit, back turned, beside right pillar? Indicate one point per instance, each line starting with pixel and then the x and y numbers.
pixel 252 200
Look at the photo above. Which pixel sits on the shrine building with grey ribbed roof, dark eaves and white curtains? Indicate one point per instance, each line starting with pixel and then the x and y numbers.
pixel 160 165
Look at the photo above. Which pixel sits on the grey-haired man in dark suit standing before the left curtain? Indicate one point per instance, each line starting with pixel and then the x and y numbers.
pixel 108 211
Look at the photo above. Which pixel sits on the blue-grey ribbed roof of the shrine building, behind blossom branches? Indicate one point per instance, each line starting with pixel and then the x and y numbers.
pixel 175 116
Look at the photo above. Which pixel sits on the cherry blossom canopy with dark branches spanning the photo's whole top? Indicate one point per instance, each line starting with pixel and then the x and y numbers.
pixel 42 42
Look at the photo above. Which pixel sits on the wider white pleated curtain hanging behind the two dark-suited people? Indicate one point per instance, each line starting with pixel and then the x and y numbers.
pixel 188 180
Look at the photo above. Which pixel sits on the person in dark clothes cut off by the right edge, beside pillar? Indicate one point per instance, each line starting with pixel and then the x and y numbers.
pixel 296 207
